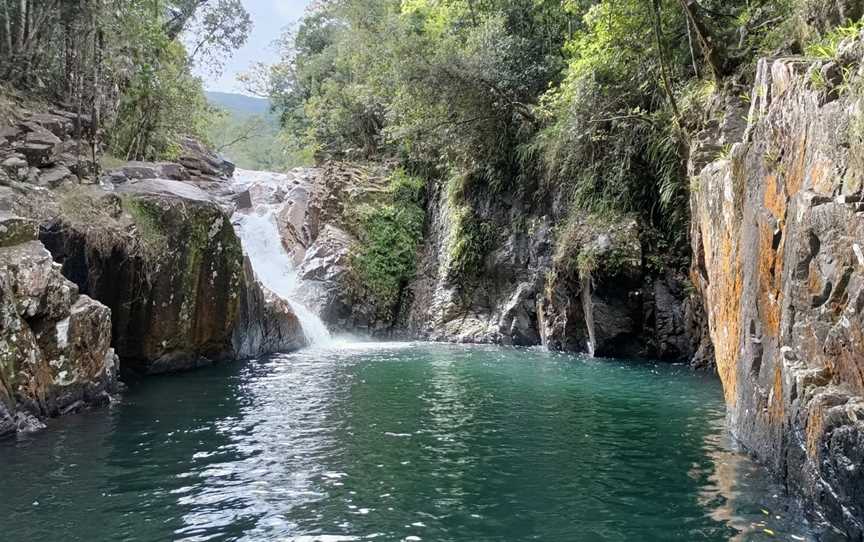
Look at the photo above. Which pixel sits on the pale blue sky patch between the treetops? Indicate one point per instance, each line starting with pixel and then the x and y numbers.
pixel 269 17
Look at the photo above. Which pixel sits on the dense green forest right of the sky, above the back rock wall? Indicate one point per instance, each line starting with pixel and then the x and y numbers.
pixel 595 100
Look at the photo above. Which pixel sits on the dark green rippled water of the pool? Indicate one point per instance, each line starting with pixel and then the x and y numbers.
pixel 396 442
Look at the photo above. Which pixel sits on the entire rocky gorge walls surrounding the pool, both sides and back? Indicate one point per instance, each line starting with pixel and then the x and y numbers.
pixel 140 269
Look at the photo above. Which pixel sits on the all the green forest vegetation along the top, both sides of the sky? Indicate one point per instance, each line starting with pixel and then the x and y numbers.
pixel 591 103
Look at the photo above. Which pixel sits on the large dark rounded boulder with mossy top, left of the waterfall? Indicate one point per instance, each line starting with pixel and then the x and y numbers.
pixel 172 275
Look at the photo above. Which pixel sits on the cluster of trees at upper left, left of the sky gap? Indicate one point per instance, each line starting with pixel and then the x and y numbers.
pixel 127 62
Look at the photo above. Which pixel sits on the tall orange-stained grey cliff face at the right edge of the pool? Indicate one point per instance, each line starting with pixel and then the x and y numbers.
pixel 778 231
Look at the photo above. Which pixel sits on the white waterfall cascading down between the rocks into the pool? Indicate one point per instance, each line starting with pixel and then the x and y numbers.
pixel 260 238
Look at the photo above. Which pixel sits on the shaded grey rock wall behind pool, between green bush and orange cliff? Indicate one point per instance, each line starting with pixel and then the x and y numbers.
pixel 524 296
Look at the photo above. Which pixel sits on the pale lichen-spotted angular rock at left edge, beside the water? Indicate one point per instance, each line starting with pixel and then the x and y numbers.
pixel 55 345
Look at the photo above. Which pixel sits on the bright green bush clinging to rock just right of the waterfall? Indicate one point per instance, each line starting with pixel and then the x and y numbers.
pixel 390 233
